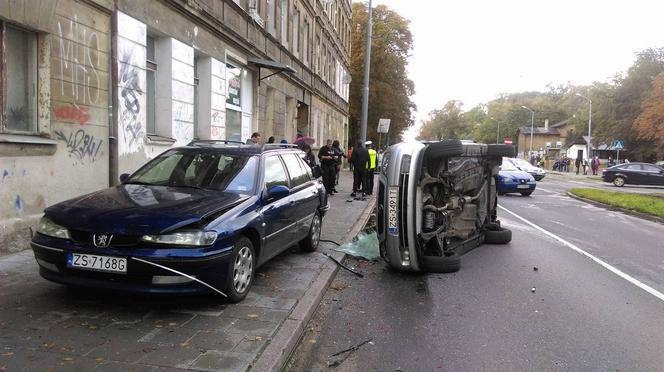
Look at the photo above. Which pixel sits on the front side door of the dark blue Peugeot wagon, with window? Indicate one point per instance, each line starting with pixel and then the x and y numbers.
pixel 275 211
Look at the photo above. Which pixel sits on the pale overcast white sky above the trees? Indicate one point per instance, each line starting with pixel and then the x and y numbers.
pixel 474 50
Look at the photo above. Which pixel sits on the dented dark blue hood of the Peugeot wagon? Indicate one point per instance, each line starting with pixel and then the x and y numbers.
pixel 139 209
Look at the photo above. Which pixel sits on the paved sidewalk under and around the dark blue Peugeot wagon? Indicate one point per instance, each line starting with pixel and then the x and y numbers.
pixel 45 326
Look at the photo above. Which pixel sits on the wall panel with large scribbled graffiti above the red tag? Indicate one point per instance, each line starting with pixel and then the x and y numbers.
pixel 79 57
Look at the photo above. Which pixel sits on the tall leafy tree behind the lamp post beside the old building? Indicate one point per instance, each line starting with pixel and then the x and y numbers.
pixel 389 87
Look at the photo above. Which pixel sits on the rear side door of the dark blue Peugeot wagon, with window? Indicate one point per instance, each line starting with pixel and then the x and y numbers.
pixel 304 195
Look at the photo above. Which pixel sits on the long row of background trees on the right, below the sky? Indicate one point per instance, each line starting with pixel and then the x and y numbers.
pixel 617 111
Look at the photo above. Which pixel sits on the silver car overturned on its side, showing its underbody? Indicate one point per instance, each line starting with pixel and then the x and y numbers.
pixel 436 201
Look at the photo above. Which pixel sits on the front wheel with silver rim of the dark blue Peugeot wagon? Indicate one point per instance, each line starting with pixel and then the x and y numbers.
pixel 240 274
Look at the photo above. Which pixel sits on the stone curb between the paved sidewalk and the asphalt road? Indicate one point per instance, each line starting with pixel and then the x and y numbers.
pixel 276 354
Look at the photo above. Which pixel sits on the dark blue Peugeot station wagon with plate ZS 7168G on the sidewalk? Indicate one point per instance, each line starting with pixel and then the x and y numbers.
pixel 195 219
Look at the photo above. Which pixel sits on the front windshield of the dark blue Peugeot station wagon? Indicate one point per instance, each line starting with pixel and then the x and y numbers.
pixel 205 170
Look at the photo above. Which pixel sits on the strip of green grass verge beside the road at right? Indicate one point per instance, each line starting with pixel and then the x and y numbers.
pixel 648 204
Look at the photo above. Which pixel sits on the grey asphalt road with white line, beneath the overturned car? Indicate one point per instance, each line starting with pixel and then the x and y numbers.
pixel 594 302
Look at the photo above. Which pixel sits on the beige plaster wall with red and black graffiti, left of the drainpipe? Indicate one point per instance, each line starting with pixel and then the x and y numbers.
pixel 72 107
